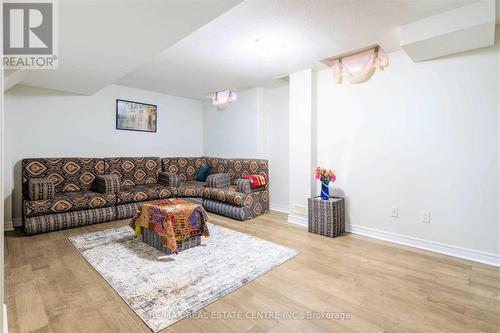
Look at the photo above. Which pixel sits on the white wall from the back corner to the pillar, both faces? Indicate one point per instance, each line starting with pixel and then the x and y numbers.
pixel 255 126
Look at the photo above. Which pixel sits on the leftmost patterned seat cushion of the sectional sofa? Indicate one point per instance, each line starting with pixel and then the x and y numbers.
pixel 68 201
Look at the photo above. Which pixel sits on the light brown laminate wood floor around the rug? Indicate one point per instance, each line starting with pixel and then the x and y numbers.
pixel 345 284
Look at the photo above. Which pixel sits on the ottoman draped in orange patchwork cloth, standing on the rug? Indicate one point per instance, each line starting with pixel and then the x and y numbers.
pixel 170 225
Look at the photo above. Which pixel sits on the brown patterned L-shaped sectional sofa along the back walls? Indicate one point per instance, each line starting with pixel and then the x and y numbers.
pixel 61 193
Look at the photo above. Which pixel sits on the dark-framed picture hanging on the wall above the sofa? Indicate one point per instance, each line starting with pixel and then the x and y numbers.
pixel 135 116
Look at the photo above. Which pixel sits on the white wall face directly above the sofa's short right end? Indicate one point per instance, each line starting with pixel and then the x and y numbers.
pixel 235 131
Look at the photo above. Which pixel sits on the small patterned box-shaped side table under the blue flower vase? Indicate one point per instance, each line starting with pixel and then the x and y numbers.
pixel 326 217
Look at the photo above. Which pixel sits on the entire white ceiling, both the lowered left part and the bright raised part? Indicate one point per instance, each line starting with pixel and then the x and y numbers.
pixel 192 48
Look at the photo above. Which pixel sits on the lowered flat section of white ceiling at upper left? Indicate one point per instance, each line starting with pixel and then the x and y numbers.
pixel 100 41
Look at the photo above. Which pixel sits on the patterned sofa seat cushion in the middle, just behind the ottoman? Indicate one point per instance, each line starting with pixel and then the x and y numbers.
pixel 145 192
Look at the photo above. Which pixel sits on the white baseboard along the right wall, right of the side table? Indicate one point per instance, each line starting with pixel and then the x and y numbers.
pixel 451 250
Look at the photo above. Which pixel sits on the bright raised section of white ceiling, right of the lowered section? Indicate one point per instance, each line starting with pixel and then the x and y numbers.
pixel 223 54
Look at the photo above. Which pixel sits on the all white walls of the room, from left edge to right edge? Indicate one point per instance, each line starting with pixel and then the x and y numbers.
pixel 415 136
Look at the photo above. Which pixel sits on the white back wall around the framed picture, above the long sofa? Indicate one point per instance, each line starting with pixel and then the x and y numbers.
pixel 48 123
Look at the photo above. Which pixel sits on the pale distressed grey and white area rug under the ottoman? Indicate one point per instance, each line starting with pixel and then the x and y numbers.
pixel 162 291
